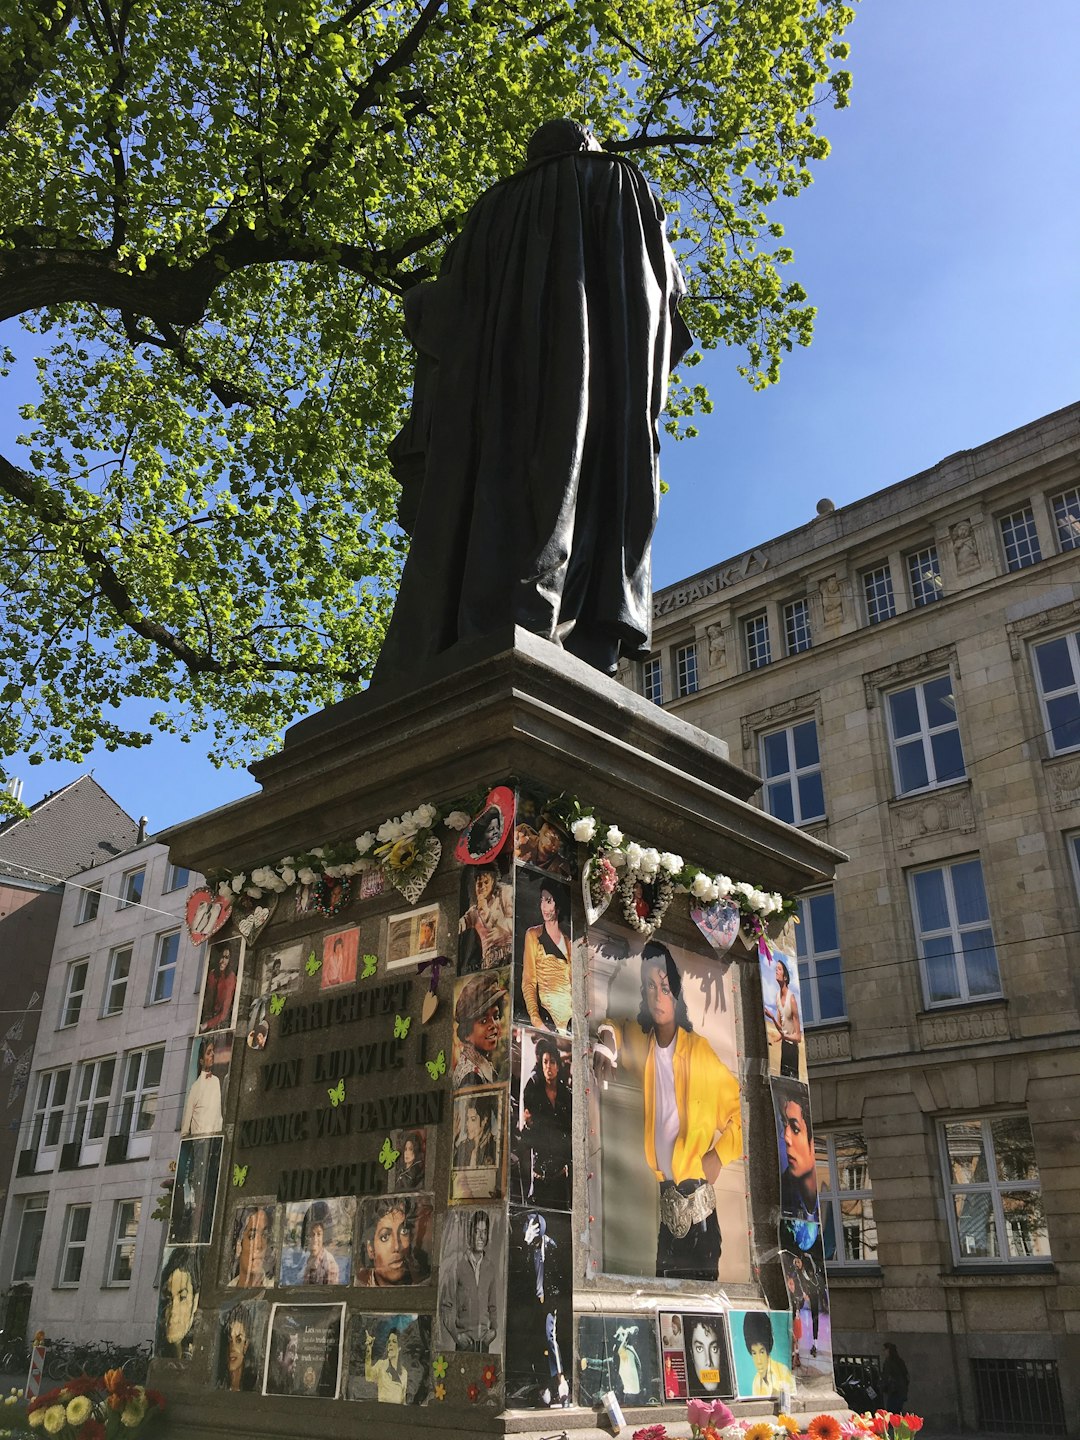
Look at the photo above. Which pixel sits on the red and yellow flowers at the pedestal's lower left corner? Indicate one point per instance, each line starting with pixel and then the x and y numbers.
pixel 91 1408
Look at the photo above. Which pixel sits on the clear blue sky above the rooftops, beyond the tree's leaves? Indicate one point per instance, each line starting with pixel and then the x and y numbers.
pixel 941 246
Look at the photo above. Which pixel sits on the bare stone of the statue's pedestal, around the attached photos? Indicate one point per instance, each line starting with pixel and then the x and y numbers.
pixel 518 714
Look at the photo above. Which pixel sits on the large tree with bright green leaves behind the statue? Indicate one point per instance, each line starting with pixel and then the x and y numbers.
pixel 210 211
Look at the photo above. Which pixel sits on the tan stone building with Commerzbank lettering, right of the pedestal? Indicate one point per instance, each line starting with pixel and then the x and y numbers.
pixel 905 675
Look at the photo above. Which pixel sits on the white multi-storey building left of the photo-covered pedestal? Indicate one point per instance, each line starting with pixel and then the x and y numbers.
pixel 103 1107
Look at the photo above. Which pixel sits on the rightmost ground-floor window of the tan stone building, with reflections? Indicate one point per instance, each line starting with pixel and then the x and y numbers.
pixel 996 1205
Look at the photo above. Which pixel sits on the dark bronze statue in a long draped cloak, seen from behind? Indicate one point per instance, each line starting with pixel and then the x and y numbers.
pixel 529 463
